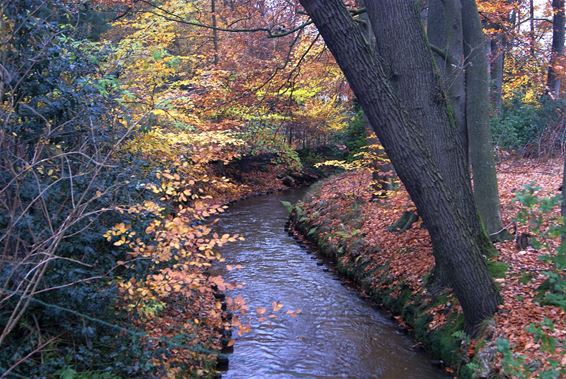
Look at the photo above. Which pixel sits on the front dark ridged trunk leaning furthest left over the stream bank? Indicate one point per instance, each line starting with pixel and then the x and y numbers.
pixel 403 136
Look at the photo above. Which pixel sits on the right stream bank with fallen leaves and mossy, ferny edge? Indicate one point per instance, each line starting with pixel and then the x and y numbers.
pixel 332 223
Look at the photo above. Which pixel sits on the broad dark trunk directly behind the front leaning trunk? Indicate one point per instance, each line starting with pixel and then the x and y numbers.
pixel 416 81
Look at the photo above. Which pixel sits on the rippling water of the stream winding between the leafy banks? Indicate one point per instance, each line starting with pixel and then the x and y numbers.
pixel 337 335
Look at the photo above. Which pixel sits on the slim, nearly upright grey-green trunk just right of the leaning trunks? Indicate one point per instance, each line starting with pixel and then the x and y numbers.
pixel 486 193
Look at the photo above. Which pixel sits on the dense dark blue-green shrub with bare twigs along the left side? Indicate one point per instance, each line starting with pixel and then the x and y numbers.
pixel 58 181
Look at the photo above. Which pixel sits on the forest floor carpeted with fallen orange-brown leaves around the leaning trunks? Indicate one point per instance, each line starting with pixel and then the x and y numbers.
pixel 409 259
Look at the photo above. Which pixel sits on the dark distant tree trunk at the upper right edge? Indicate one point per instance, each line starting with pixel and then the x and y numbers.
pixel 558 29
